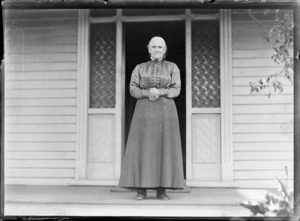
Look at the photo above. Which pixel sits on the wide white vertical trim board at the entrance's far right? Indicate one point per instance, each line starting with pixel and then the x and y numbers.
pixel 226 95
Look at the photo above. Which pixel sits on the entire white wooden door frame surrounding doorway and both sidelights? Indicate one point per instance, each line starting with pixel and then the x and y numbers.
pixel 83 93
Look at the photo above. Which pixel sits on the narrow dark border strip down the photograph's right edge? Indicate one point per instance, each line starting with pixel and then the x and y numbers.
pixel 297 109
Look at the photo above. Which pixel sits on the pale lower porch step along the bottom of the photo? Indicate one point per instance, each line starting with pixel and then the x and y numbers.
pixel 59 209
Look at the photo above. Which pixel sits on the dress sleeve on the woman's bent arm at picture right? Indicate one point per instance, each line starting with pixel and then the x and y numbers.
pixel 174 89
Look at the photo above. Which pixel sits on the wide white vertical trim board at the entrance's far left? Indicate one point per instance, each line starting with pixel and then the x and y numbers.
pixel 82 93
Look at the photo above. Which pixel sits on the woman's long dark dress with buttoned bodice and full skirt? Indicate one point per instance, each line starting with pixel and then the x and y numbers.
pixel 153 155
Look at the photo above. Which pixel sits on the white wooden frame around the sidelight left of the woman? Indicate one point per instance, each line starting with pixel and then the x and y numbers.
pixel 83 110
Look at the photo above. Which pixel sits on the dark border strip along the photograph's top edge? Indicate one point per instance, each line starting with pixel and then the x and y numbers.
pixel 224 4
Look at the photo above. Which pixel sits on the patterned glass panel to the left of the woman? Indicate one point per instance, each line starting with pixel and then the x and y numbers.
pixel 103 65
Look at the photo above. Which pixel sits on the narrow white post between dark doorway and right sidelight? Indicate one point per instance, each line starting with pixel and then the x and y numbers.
pixel 188 51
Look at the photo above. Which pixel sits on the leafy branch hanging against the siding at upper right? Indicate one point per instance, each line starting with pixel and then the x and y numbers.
pixel 280 34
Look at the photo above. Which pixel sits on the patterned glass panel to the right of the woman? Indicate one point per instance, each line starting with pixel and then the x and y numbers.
pixel 205 64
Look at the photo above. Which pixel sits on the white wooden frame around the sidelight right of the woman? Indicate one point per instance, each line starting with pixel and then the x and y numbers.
pixel 225 110
